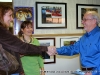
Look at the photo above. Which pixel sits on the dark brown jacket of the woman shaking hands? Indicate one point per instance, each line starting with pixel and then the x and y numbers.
pixel 15 46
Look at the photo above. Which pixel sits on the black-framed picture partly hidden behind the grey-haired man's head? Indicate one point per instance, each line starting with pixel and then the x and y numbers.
pixel 81 9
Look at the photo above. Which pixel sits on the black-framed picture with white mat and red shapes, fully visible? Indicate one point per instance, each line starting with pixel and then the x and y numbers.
pixel 51 15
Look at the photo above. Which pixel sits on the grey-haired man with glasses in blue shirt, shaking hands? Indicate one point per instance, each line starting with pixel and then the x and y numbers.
pixel 88 46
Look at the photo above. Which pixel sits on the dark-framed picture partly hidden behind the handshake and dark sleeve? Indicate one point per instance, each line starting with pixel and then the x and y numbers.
pixel 47 42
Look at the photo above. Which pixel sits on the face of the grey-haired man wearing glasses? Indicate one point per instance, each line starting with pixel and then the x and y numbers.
pixel 88 22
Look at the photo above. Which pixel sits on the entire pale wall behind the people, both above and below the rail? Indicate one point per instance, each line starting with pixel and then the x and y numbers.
pixel 63 63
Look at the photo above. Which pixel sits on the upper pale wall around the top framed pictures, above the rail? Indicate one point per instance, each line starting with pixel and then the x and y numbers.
pixel 71 15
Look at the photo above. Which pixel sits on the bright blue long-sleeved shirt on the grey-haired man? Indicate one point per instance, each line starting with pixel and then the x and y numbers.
pixel 88 47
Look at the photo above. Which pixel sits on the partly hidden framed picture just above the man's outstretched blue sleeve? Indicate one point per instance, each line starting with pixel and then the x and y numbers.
pixel 68 41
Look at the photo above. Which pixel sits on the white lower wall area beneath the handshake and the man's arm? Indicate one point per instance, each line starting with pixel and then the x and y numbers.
pixel 63 66
